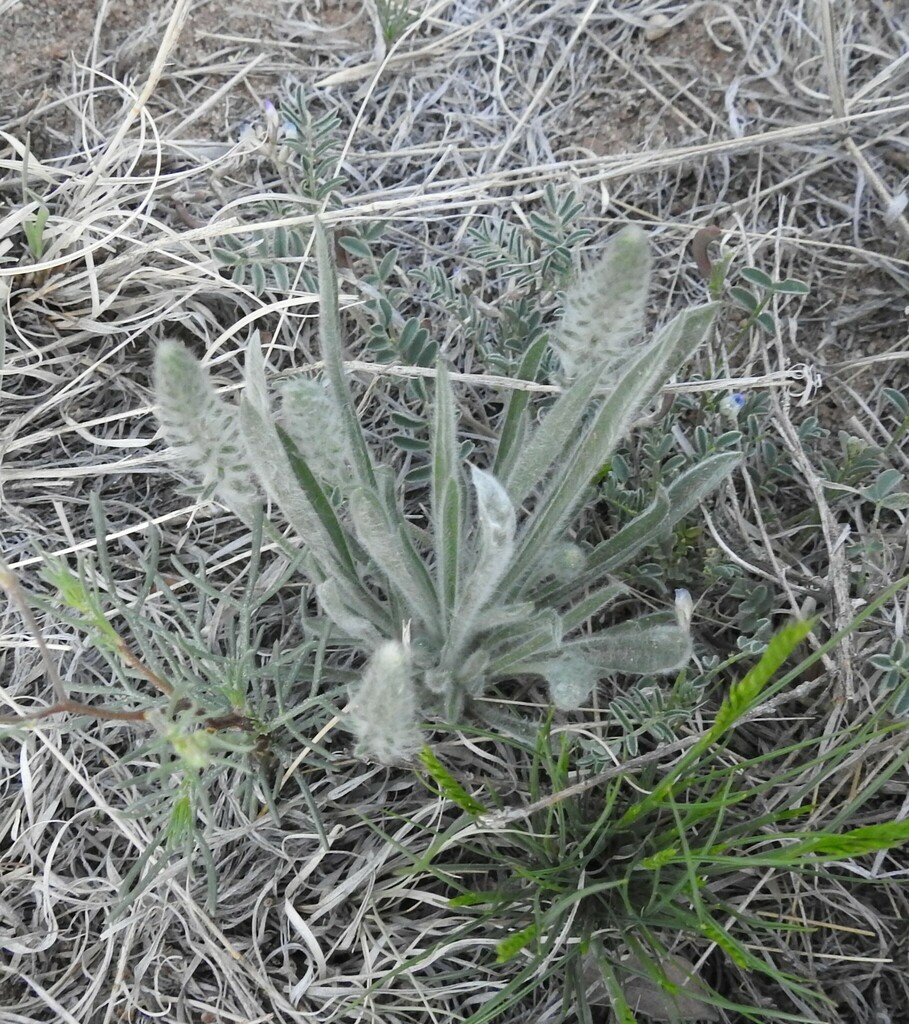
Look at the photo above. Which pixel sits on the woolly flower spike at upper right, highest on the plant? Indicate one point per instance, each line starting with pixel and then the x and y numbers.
pixel 604 310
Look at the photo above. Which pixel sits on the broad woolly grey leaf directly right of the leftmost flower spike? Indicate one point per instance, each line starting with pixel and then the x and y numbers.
pixel 323 536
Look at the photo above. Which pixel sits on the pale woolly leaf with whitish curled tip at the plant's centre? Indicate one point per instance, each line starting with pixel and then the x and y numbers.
pixel 495 542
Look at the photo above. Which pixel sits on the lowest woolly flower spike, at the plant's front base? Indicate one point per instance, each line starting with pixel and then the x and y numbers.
pixel 383 712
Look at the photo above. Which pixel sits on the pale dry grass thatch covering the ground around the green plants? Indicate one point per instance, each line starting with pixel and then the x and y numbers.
pixel 782 122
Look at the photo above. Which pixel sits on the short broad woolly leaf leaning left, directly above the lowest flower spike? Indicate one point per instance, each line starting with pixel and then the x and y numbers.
pixel 389 547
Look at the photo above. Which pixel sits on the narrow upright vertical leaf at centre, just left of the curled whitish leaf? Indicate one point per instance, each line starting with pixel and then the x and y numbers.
pixel 447 496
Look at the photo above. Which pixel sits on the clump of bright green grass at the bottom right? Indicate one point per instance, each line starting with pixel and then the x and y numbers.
pixel 621 884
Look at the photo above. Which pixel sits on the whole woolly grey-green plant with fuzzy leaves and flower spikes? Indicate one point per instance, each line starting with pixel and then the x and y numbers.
pixel 490 591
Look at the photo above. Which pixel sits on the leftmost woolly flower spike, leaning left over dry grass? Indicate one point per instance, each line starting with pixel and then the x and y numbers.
pixel 203 431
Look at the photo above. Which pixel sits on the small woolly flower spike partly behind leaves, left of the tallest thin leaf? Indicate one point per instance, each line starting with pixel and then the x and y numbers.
pixel 313 419
